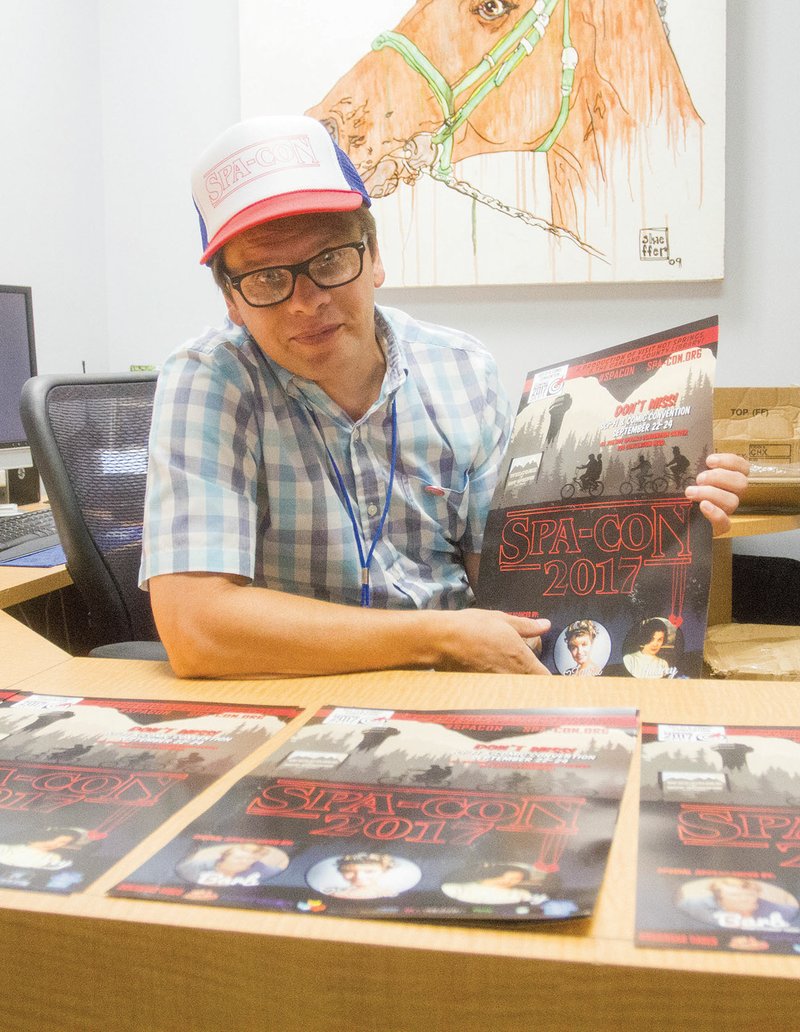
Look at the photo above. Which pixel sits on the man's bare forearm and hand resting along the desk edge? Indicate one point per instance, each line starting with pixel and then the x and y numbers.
pixel 216 627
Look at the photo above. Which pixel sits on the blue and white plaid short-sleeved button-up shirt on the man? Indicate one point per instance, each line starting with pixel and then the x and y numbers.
pixel 240 479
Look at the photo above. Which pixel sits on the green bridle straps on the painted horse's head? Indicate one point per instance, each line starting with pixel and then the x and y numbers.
pixel 489 75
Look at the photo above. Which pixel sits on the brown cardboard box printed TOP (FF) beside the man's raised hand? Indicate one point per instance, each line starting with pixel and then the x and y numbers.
pixel 762 425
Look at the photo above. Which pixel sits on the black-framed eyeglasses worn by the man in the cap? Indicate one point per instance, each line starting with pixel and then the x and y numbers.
pixel 333 268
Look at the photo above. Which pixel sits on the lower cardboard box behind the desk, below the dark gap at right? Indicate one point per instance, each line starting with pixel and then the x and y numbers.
pixel 753 652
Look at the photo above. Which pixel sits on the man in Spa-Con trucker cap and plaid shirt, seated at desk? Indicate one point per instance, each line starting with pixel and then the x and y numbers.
pixel 318 453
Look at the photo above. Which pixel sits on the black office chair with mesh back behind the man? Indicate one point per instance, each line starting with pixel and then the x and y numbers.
pixel 89 439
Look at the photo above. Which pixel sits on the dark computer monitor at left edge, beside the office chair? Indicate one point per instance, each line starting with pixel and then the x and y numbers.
pixel 18 363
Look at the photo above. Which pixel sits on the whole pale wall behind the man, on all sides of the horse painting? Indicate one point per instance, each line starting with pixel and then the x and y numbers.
pixel 108 103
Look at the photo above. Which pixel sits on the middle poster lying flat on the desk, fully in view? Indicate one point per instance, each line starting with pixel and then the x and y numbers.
pixel 390 814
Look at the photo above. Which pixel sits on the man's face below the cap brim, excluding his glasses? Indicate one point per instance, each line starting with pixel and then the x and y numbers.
pixel 318 333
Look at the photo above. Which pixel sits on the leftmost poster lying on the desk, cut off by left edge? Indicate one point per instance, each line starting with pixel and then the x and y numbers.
pixel 84 781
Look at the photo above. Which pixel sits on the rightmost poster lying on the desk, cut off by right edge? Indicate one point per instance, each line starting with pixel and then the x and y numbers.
pixel 720 838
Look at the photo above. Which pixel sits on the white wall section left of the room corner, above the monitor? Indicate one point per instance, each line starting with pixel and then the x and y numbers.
pixel 52 209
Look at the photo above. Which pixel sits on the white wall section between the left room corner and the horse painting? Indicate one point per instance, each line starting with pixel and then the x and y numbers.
pixel 170 75
